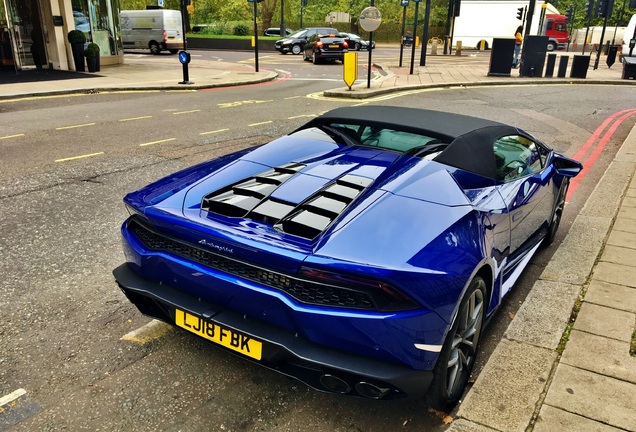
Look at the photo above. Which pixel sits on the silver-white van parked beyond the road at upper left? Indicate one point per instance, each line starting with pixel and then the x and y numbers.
pixel 154 29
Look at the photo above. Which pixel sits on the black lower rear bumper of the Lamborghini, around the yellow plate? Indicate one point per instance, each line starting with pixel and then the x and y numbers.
pixel 319 367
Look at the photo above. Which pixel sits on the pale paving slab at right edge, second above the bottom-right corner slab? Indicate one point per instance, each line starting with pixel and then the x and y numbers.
pixel 607 322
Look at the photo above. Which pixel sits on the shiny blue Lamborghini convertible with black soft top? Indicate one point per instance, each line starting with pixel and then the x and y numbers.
pixel 360 254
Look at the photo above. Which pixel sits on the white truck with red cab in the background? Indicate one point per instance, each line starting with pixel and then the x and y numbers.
pixel 488 19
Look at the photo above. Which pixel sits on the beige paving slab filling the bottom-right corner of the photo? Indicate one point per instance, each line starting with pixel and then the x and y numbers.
pixel 594 396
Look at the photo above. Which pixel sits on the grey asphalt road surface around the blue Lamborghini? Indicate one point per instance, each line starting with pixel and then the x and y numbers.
pixel 65 164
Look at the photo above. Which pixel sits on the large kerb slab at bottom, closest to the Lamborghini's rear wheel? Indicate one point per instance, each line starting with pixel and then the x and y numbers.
pixel 506 392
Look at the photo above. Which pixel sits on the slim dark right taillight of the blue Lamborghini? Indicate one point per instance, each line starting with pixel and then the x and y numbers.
pixel 385 296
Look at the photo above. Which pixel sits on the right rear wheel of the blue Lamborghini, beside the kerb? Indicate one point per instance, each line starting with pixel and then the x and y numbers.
pixel 457 357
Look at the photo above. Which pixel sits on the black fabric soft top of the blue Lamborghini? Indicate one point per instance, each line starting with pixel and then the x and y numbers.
pixel 470 139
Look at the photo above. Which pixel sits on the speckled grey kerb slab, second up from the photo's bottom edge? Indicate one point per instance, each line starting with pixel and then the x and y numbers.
pixel 544 314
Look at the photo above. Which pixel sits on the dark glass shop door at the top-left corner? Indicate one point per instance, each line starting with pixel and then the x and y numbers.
pixel 27 34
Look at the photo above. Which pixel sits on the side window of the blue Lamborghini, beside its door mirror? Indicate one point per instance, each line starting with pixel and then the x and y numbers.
pixel 517 156
